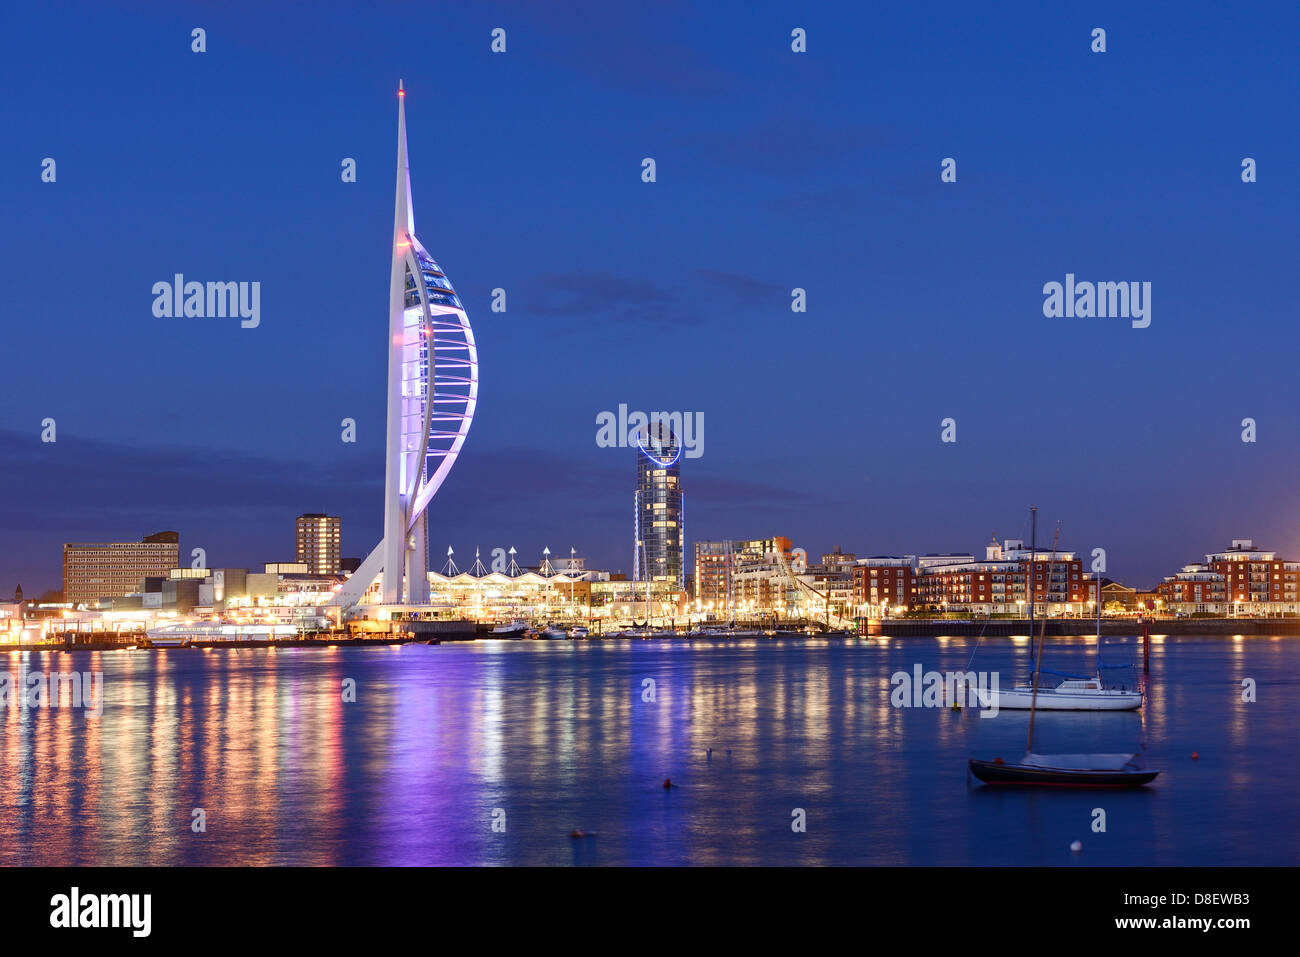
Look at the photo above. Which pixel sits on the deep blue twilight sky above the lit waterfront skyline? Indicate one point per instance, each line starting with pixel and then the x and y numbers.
pixel 775 170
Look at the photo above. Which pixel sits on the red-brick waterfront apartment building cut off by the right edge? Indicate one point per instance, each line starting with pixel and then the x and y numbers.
pixel 1241 581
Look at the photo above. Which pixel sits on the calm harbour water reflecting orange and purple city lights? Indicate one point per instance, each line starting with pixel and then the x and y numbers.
pixel 558 737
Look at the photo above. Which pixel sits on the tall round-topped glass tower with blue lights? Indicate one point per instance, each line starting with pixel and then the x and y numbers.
pixel 658 508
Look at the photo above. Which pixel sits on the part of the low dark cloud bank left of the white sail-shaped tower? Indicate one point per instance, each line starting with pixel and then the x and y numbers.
pixel 239 506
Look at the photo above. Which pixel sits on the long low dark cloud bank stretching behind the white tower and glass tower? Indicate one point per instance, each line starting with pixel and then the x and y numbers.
pixel 241 506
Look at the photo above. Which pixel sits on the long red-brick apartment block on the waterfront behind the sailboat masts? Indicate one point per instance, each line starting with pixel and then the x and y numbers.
pixel 1008 579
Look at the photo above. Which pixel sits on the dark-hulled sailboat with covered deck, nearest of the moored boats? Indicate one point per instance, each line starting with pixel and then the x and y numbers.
pixel 1061 770
